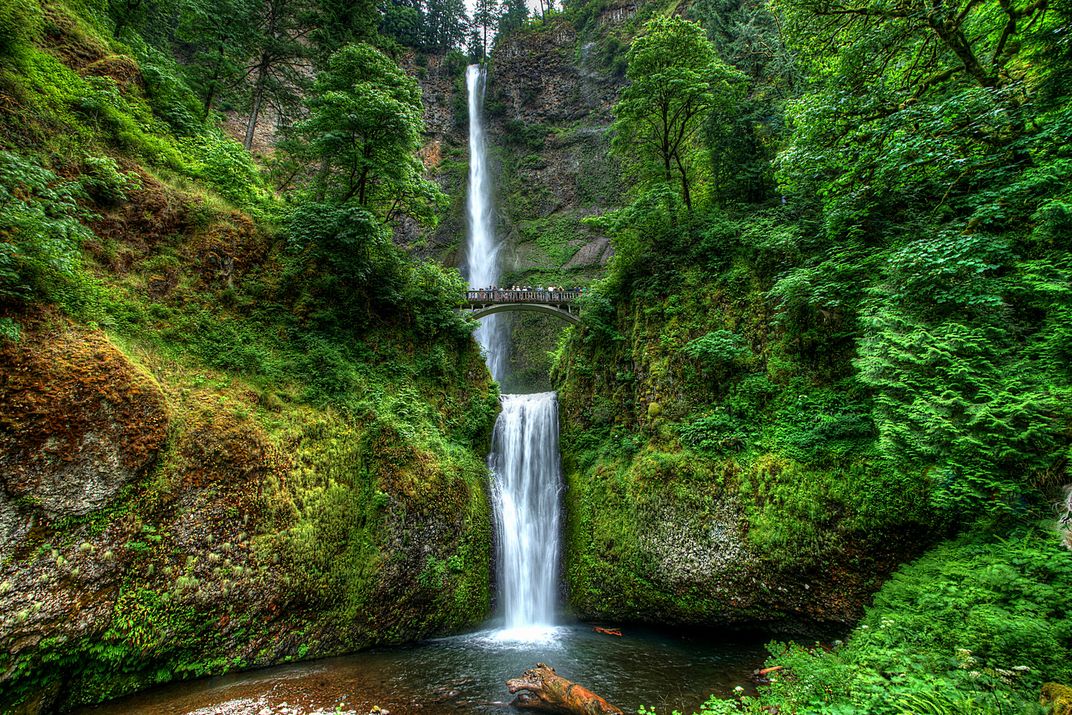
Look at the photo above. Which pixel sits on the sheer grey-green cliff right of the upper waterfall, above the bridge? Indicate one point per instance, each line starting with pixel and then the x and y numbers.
pixel 550 111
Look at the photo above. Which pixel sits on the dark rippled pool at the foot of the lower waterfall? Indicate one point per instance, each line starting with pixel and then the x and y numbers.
pixel 468 675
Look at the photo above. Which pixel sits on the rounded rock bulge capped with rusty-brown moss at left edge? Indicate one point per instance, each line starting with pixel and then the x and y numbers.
pixel 79 422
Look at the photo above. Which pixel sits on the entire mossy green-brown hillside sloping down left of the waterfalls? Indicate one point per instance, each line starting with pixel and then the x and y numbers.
pixel 212 456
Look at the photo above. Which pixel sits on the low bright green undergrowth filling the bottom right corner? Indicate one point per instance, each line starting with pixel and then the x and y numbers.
pixel 979 622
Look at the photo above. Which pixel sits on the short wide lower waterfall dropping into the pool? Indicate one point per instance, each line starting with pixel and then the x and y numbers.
pixel 525 461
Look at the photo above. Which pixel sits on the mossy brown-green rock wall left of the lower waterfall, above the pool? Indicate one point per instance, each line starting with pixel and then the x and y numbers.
pixel 153 531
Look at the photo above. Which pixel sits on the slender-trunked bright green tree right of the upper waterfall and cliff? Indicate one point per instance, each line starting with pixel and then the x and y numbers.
pixel 676 82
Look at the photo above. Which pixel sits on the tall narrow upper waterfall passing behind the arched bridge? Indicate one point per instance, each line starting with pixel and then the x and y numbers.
pixel 483 248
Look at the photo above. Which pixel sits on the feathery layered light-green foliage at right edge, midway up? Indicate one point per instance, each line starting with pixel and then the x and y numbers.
pixel 954 403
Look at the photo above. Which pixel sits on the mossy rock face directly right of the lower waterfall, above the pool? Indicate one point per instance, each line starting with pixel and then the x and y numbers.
pixel 682 555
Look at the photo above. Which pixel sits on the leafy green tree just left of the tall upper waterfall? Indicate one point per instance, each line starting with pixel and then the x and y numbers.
pixel 365 130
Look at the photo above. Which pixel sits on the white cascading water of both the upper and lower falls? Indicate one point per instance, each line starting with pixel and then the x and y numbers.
pixel 525 460
